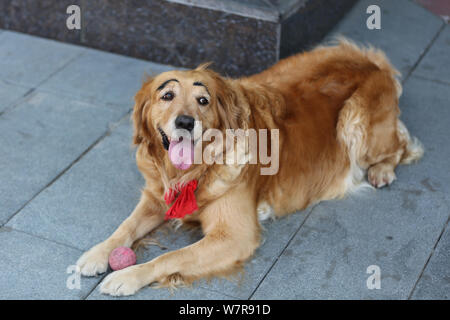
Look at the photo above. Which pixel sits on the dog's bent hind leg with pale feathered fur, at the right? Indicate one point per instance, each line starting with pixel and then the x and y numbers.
pixel 376 139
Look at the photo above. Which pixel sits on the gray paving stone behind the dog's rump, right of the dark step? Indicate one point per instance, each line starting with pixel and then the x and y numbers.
pixel 406 30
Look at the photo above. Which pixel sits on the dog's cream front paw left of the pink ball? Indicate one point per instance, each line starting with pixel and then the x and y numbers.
pixel 94 261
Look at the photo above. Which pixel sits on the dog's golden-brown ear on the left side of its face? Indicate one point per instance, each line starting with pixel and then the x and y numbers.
pixel 141 130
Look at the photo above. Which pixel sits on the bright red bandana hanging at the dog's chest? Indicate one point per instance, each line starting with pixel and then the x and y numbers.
pixel 185 202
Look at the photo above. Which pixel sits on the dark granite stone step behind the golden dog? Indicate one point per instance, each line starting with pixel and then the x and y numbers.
pixel 240 37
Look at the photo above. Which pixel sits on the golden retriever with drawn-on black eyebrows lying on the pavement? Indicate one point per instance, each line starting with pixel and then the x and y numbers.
pixel 336 112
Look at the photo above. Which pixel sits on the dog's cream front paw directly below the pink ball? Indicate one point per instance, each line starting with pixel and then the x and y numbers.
pixel 124 282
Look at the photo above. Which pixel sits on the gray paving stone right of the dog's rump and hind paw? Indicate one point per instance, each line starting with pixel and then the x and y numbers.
pixel 425 111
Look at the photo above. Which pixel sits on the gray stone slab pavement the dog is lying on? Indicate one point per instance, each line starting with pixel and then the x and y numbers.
pixel 68 178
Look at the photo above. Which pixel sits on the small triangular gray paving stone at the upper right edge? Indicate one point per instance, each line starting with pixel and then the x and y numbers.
pixel 436 63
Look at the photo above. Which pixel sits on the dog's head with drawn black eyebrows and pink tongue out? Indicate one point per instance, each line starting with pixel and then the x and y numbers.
pixel 176 107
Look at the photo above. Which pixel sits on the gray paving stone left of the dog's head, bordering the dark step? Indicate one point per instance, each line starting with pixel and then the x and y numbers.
pixel 104 77
